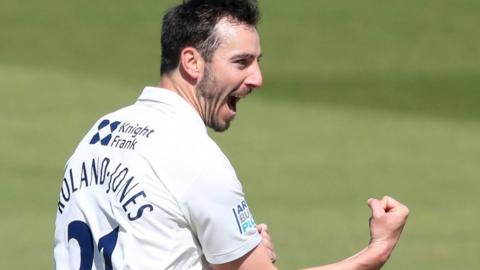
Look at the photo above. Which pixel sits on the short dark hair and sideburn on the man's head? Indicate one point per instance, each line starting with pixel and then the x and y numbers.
pixel 192 24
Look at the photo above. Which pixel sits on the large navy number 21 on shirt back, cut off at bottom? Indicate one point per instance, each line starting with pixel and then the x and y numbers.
pixel 80 231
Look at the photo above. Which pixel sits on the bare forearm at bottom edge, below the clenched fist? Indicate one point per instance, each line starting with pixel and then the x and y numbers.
pixel 373 257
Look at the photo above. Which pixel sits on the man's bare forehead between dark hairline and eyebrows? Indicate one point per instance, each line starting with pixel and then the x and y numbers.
pixel 237 38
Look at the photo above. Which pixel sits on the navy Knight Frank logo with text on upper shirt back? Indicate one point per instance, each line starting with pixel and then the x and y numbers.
pixel 122 135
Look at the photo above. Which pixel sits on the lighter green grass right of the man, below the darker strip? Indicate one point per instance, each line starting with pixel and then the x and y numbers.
pixel 312 180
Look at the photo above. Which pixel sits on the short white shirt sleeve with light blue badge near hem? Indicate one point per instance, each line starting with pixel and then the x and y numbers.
pixel 219 214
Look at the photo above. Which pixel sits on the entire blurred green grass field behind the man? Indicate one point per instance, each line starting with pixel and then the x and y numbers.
pixel 361 99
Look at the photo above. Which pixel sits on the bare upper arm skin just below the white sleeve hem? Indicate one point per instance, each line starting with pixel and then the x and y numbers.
pixel 256 259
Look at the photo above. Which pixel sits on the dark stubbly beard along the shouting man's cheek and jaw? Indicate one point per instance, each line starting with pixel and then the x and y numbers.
pixel 211 96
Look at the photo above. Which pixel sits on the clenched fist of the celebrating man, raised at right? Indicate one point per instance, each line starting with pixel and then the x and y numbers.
pixel 386 224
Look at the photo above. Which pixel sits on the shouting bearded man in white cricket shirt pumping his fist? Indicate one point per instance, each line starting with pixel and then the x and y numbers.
pixel 148 189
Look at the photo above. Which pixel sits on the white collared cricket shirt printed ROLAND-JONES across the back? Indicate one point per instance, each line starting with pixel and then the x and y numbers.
pixel 147 188
